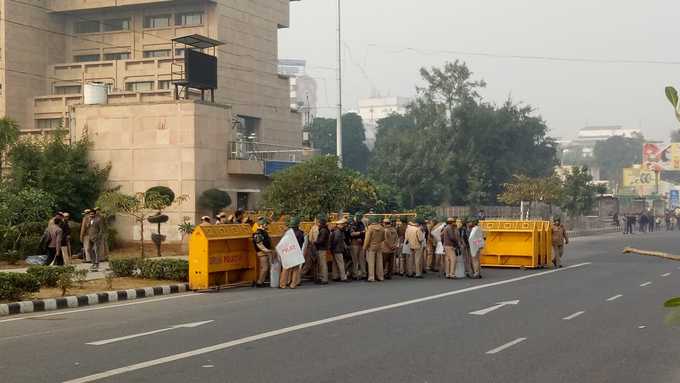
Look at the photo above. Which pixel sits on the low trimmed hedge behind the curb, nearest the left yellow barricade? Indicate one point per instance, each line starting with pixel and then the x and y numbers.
pixel 168 269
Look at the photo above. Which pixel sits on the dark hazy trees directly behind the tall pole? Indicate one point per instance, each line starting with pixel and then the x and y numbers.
pixel 355 153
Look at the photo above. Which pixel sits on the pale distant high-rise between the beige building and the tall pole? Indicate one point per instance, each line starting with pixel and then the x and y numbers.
pixel 303 88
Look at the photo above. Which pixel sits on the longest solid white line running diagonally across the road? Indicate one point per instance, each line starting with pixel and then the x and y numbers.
pixel 302 326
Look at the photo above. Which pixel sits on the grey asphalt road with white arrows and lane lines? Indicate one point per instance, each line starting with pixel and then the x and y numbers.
pixel 589 322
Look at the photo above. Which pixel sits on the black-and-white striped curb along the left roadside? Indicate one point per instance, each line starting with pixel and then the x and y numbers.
pixel 51 304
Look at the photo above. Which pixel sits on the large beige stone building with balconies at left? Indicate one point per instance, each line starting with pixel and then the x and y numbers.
pixel 52 49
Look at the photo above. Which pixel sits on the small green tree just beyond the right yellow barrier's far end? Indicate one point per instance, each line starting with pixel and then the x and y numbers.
pixel 579 193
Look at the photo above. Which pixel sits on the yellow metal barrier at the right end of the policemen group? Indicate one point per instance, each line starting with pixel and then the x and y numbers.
pixel 516 244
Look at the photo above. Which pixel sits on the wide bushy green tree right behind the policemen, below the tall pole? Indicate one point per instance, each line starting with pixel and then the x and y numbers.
pixel 318 186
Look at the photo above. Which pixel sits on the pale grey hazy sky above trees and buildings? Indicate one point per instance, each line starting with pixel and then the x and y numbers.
pixel 387 41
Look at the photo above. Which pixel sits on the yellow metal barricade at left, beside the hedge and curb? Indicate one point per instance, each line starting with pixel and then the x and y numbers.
pixel 221 255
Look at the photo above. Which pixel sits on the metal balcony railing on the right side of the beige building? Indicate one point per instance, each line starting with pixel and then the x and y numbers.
pixel 258 151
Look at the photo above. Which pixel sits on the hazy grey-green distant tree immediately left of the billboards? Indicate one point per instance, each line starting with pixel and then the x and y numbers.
pixel 617 153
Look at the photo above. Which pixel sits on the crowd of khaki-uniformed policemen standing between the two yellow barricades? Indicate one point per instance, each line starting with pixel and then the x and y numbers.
pixel 373 249
